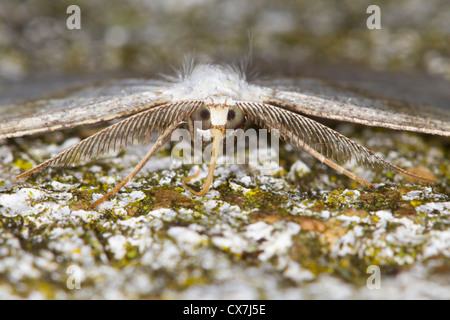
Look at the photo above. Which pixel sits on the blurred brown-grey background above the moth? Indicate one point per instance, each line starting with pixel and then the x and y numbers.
pixel 290 37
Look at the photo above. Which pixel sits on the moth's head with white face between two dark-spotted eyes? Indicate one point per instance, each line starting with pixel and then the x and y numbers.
pixel 219 116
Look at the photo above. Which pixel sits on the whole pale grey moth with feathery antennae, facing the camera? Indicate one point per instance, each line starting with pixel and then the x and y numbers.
pixel 220 97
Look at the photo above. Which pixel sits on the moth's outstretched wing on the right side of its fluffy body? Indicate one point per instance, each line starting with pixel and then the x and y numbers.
pixel 368 103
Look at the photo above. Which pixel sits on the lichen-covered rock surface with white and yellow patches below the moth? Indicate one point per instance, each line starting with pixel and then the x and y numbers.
pixel 251 236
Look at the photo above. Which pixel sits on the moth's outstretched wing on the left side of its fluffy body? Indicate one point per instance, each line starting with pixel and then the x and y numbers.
pixel 72 107
